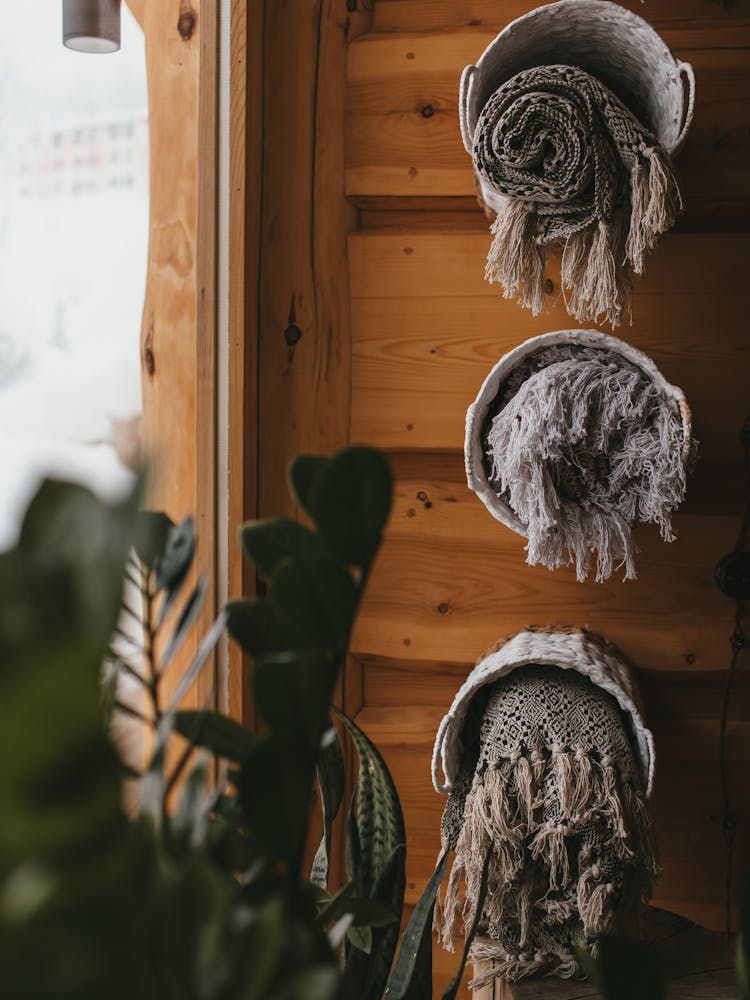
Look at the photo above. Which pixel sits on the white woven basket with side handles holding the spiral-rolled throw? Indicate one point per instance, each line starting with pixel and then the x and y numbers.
pixel 611 43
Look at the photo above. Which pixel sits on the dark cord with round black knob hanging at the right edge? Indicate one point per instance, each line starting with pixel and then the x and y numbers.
pixel 733 577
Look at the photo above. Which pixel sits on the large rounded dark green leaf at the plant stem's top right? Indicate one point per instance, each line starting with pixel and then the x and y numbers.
pixel 350 502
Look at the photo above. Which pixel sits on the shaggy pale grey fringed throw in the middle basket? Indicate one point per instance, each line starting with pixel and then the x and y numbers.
pixel 583 446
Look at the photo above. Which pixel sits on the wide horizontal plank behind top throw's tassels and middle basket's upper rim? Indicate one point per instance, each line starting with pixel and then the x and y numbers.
pixel 426 325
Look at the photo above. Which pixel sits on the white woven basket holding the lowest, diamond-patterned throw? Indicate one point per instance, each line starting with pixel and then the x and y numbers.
pixel 573 649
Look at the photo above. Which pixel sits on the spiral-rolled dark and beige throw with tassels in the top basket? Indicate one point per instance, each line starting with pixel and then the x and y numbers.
pixel 578 167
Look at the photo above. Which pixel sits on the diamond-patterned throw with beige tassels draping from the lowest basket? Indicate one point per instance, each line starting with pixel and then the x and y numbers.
pixel 549 781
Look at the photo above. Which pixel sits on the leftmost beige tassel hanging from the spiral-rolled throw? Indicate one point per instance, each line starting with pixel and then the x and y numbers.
pixel 515 259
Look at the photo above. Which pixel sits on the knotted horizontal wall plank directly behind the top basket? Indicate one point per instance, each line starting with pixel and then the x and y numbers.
pixel 402 136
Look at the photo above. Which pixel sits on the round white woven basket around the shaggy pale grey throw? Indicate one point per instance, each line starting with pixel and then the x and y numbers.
pixel 476 475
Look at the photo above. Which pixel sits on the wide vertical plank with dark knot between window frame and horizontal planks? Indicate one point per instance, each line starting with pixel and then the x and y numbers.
pixel 303 289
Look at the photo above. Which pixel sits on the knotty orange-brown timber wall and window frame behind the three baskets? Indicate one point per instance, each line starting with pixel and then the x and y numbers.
pixel 367 319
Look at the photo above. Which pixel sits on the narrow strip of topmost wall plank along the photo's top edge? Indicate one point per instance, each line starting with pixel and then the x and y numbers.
pixel 685 22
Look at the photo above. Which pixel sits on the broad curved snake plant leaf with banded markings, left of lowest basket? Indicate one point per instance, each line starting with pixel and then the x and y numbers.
pixel 380 821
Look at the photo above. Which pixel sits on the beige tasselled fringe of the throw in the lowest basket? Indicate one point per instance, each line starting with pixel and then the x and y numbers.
pixel 537 812
